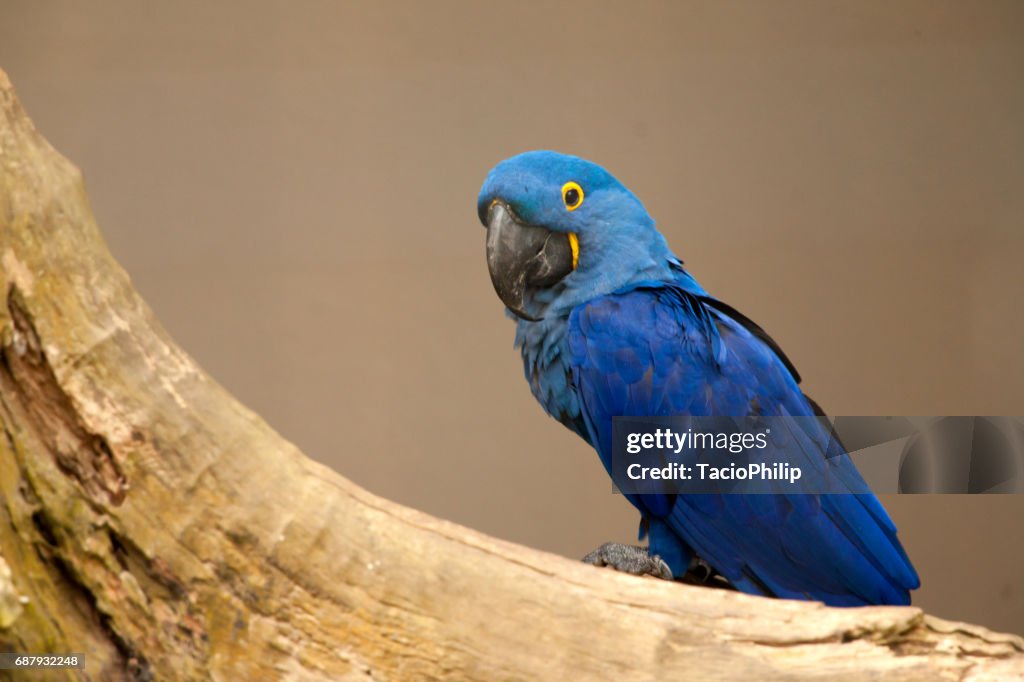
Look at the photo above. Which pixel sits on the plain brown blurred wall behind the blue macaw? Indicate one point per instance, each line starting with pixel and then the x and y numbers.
pixel 292 188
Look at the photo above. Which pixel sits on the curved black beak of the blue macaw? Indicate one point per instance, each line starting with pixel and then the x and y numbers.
pixel 523 258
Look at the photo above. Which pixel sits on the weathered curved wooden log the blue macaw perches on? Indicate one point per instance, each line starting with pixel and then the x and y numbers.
pixel 154 524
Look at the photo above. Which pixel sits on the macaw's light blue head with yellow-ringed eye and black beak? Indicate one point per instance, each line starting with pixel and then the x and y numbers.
pixel 562 231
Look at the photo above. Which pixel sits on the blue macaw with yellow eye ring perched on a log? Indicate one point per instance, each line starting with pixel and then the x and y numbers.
pixel 611 324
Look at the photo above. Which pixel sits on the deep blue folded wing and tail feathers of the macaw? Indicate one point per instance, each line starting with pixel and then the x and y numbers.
pixel 660 350
